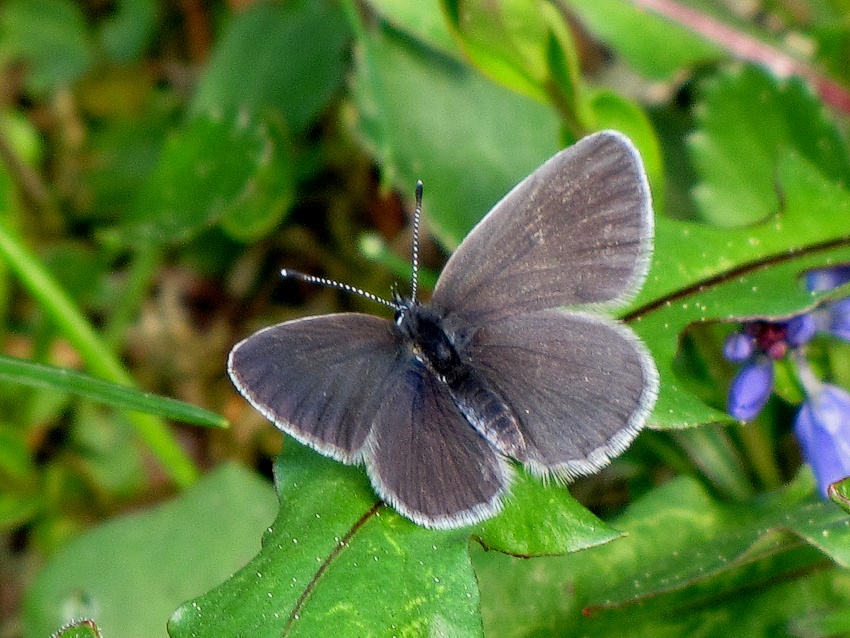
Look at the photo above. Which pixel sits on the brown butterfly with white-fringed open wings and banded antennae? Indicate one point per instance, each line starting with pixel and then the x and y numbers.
pixel 510 359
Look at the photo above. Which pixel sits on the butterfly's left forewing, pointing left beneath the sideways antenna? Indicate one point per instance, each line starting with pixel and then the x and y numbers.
pixel 320 379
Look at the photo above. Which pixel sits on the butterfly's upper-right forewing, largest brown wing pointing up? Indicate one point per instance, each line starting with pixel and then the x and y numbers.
pixel 576 231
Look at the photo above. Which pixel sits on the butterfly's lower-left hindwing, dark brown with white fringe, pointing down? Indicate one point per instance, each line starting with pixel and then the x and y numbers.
pixel 424 458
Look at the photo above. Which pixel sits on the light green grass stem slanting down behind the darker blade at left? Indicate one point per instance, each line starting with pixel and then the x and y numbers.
pixel 100 360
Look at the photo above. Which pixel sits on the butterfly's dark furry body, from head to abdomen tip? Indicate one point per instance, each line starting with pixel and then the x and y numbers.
pixel 482 405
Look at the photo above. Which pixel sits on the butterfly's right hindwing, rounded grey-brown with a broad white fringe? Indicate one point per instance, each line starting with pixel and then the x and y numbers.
pixel 581 385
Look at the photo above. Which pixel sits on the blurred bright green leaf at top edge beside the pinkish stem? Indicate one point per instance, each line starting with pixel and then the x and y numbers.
pixel 654 46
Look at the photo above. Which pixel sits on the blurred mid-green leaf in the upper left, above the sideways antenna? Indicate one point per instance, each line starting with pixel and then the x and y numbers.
pixel 212 169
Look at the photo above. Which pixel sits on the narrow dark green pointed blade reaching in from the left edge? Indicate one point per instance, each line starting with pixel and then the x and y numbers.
pixel 37 375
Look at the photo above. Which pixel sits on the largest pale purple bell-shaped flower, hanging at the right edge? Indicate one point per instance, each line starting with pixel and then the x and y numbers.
pixel 822 428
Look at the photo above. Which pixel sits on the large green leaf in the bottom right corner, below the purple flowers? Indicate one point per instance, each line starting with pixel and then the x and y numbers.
pixel 717 564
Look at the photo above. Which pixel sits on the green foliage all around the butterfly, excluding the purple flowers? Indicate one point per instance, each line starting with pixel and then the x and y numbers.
pixel 160 162
